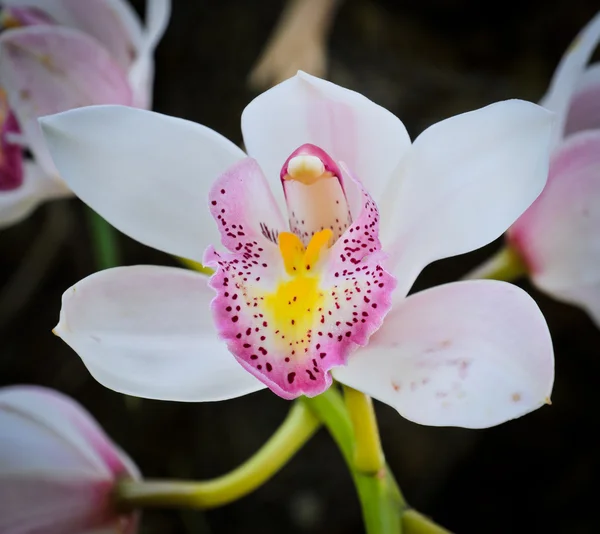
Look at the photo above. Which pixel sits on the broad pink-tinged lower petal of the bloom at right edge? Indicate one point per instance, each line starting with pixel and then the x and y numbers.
pixel 558 235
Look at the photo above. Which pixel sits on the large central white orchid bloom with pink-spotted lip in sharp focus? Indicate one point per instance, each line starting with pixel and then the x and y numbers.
pixel 321 295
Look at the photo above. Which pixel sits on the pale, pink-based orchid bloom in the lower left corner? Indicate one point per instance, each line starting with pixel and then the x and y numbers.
pixel 58 468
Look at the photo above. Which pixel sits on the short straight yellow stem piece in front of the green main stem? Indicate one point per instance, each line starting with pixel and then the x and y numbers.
pixel 368 454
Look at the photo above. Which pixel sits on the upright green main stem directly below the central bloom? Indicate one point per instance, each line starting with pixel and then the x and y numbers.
pixel 380 499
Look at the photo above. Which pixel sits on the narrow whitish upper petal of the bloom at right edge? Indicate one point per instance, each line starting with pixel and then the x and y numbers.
pixel 568 74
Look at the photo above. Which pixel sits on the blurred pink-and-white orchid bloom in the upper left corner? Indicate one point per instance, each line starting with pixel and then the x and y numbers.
pixel 56 55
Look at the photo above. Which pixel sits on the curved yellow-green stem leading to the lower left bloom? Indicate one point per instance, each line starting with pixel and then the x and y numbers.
pixel 299 426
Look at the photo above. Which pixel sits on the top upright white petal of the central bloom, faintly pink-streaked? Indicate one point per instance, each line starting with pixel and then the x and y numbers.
pixel 345 124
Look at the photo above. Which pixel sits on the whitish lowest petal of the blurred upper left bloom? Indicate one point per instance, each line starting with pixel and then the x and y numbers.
pixel 37 186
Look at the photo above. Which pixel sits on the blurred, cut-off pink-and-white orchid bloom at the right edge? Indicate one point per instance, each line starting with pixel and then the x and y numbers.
pixel 557 238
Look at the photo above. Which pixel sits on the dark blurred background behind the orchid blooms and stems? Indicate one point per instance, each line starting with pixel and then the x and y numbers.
pixel 424 60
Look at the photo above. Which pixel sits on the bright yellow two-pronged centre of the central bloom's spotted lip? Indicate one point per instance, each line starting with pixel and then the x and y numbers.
pixel 293 304
